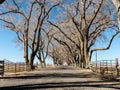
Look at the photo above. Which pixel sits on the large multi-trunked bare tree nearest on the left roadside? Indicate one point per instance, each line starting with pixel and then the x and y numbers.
pixel 27 19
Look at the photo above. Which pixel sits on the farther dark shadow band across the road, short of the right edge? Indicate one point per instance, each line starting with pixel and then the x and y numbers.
pixel 50 75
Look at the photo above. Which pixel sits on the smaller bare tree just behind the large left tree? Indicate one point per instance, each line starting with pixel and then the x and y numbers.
pixel 42 53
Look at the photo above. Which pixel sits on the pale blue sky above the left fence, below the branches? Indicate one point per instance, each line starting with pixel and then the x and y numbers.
pixel 8 48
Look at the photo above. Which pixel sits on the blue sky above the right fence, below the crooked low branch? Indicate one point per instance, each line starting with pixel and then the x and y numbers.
pixel 110 54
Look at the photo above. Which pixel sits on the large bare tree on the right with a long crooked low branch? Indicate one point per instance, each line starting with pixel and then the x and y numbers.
pixel 89 19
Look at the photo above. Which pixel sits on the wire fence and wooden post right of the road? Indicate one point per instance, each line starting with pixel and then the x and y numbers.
pixel 106 67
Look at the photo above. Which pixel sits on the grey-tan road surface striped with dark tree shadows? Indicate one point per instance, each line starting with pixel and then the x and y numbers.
pixel 57 78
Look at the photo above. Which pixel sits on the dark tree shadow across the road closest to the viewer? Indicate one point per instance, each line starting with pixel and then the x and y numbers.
pixel 61 85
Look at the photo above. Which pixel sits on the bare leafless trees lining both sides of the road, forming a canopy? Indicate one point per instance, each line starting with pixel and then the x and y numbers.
pixel 60 28
